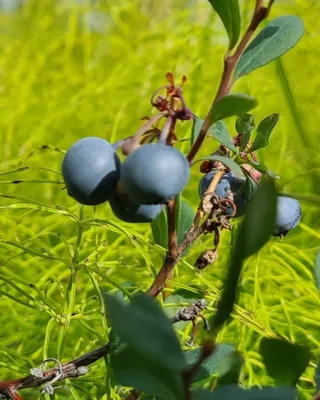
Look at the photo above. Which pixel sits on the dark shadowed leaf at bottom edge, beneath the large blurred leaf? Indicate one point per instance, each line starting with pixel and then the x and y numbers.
pixel 133 369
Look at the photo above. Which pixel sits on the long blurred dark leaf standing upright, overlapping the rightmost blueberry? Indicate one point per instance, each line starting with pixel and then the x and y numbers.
pixel 257 226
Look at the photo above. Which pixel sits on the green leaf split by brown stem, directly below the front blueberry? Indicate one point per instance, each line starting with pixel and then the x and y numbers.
pixel 184 219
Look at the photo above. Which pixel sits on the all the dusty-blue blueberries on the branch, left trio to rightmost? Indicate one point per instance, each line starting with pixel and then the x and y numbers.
pixel 138 187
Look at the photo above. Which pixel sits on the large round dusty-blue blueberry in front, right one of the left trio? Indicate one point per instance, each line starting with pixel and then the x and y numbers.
pixel 154 173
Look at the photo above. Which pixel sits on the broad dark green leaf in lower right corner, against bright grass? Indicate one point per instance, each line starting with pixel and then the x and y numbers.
pixel 285 362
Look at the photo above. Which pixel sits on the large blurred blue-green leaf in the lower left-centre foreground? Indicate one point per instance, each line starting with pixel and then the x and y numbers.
pixel 144 327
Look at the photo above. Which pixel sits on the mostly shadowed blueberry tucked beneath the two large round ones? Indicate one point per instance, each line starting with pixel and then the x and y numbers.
pixel 128 211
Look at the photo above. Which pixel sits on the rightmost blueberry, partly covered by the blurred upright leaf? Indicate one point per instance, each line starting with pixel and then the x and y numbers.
pixel 288 215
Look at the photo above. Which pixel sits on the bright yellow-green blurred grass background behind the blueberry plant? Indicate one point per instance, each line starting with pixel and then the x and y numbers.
pixel 70 69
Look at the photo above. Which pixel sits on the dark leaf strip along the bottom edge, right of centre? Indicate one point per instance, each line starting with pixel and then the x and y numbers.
pixel 233 392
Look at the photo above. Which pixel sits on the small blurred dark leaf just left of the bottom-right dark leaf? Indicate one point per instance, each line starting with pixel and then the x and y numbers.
pixel 229 368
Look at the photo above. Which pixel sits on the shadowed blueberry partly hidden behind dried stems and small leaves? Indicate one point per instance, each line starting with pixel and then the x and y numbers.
pixel 229 183
